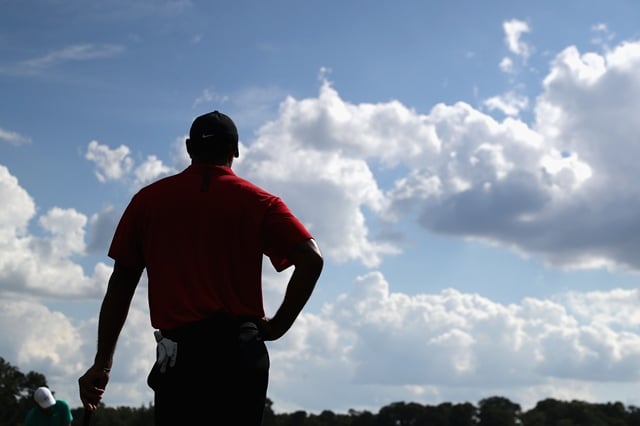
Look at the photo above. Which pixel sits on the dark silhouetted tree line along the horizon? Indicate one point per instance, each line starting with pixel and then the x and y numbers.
pixel 16 390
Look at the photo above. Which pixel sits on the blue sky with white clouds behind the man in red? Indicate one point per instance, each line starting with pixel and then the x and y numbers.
pixel 468 169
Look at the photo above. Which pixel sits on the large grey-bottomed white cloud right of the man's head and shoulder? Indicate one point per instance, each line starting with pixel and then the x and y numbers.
pixel 469 175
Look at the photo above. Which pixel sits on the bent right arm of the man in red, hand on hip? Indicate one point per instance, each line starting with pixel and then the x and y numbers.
pixel 308 262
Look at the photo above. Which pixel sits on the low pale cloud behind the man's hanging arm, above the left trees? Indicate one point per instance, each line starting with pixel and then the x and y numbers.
pixel 50 342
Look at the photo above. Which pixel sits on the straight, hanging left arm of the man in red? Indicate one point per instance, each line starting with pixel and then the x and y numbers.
pixel 113 313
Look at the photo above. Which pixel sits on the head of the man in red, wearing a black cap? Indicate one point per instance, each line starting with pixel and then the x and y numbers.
pixel 213 138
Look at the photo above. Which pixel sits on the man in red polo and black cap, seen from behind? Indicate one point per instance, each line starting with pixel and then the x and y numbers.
pixel 201 235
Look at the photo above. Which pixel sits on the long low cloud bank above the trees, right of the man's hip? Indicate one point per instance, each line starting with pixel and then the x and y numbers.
pixel 371 343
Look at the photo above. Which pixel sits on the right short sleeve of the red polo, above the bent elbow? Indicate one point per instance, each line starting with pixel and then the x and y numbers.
pixel 282 232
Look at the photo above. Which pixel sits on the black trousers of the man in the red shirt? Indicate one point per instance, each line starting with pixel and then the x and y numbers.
pixel 220 376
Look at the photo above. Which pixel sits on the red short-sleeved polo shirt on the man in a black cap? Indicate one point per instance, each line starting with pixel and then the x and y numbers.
pixel 201 235
